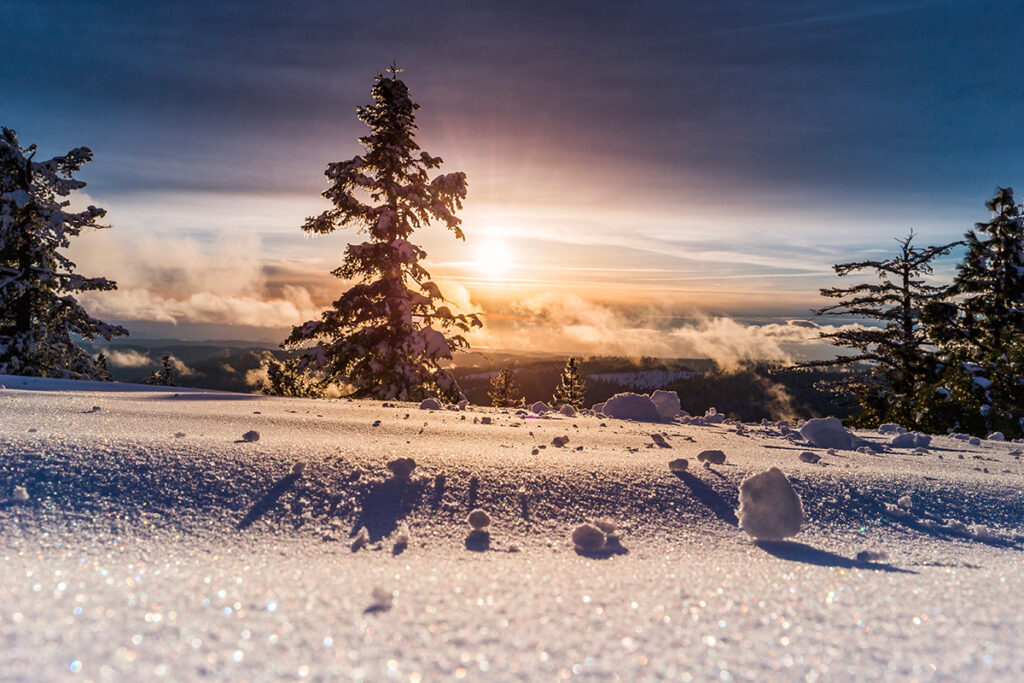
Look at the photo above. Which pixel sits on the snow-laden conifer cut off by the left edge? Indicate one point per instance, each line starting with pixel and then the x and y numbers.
pixel 39 316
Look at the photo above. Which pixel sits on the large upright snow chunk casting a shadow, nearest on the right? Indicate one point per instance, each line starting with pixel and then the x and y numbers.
pixel 770 508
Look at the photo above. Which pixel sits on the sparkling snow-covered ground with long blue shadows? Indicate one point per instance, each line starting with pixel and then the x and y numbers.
pixel 156 542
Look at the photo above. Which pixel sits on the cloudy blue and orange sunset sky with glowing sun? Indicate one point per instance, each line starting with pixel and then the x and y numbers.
pixel 645 178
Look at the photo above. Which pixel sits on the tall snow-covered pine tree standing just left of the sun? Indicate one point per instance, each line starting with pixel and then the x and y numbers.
pixel 385 337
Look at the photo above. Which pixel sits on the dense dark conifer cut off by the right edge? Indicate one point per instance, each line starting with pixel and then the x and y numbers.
pixel 980 326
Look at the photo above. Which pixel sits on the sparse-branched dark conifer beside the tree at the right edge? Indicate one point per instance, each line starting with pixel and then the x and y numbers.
pixel 894 346
